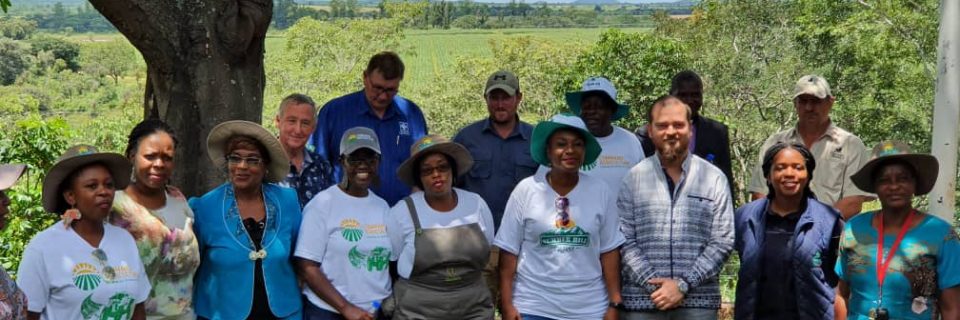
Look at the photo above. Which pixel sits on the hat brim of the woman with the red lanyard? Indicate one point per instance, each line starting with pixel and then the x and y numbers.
pixel 926 167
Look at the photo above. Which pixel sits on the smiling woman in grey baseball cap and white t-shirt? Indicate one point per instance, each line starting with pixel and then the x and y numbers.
pixel 343 248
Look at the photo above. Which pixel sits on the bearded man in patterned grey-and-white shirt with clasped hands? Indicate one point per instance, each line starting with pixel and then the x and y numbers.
pixel 676 214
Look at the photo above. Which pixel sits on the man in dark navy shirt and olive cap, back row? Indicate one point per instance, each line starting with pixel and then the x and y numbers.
pixel 500 146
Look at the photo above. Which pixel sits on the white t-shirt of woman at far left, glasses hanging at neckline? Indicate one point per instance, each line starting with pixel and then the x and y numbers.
pixel 64 279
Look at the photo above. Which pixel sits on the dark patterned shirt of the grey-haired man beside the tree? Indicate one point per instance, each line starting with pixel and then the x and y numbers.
pixel 317 174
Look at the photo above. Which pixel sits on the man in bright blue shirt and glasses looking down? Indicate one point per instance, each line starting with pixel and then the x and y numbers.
pixel 378 107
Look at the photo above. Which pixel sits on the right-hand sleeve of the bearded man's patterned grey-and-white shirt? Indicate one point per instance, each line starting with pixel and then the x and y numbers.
pixel 715 253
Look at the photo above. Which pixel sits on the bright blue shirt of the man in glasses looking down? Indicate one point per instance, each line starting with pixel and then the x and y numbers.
pixel 402 124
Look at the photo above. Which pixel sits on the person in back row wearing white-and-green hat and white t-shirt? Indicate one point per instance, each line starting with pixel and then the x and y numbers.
pixel 596 103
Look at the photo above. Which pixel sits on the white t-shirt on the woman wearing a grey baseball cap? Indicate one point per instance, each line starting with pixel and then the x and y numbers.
pixel 347 236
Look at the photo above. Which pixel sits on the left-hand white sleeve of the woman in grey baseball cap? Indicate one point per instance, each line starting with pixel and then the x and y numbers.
pixel 312 240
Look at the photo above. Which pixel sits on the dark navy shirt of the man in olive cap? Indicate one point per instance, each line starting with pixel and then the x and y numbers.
pixel 498 163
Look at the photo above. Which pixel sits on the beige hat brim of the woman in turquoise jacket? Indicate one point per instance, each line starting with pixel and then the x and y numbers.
pixel 218 137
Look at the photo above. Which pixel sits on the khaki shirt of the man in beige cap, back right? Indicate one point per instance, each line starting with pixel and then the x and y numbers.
pixel 839 154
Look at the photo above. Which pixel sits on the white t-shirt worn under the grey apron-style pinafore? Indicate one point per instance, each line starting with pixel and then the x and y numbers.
pixel 470 209
